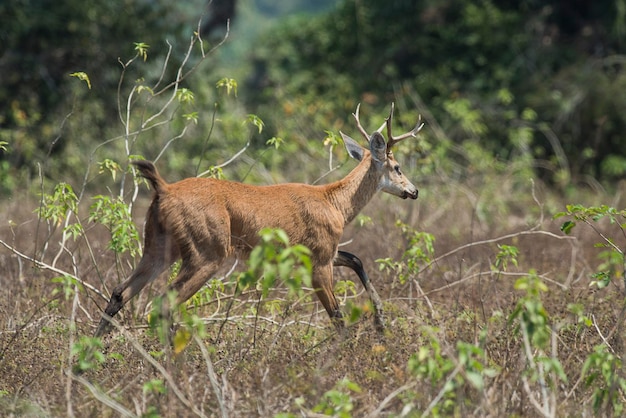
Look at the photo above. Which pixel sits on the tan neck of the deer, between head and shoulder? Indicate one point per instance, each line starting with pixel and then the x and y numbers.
pixel 350 194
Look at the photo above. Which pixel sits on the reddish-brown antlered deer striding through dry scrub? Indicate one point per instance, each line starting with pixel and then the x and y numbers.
pixel 204 221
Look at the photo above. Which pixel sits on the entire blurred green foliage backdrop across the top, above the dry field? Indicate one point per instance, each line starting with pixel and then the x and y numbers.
pixel 534 83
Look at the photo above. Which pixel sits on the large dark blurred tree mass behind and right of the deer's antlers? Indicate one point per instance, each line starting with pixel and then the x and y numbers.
pixel 529 79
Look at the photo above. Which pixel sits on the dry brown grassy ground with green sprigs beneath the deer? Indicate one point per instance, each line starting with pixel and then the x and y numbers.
pixel 462 338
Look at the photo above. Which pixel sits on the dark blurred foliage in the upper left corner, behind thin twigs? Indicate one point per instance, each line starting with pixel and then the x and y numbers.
pixel 47 117
